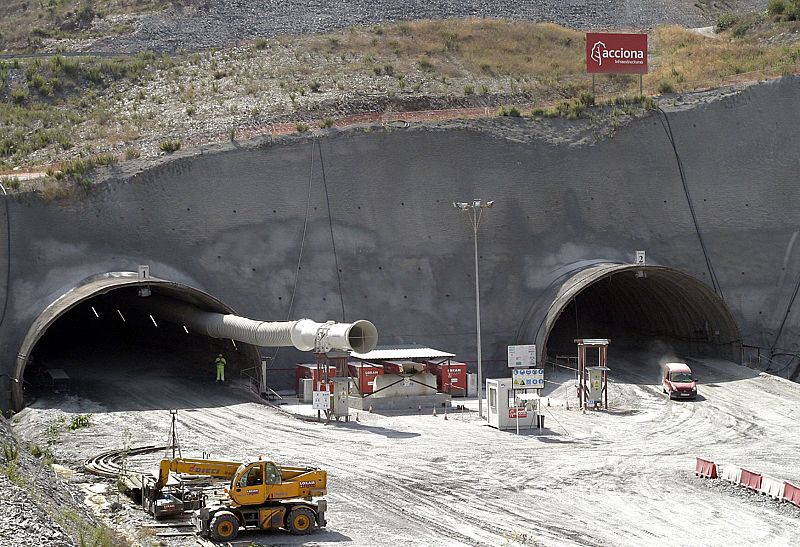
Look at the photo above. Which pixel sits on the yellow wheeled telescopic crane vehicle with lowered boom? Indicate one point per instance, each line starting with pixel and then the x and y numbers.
pixel 261 496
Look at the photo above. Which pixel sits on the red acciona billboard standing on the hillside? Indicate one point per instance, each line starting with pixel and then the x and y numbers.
pixel 616 53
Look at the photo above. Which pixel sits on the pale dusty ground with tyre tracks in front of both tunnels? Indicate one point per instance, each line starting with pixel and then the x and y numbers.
pixel 620 477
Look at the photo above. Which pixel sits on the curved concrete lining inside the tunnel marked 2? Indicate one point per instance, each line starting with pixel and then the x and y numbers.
pixel 666 303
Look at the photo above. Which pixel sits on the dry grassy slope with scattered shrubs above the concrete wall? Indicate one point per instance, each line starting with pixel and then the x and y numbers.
pixel 56 109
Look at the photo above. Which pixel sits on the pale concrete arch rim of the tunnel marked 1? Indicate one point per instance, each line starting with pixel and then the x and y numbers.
pixel 103 284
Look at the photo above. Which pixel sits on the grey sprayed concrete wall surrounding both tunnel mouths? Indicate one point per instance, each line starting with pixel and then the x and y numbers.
pixel 230 221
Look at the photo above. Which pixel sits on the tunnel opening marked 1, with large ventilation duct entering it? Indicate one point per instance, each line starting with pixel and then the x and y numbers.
pixel 103 334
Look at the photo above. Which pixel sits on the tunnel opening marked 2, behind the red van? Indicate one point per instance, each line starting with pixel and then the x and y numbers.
pixel 636 306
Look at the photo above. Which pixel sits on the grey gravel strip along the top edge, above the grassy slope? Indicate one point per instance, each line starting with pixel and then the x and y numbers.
pixel 218 23
